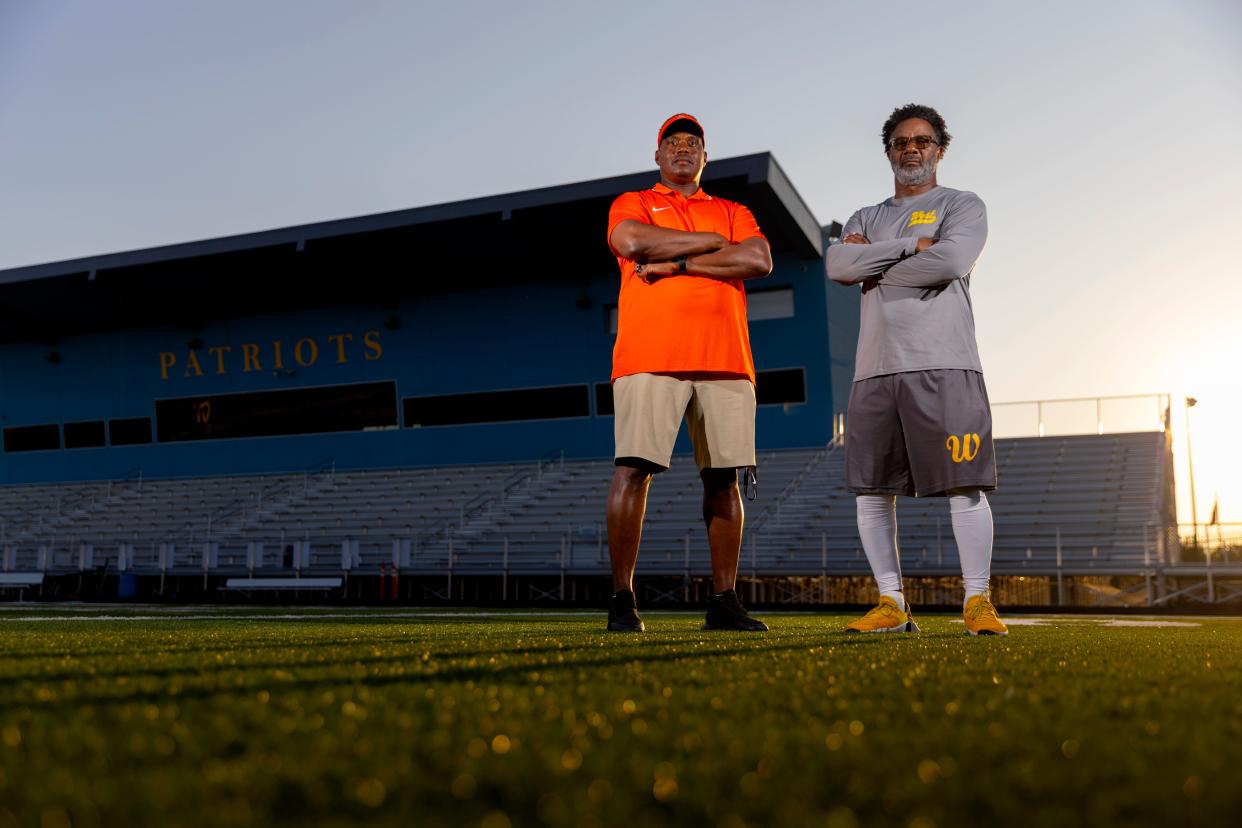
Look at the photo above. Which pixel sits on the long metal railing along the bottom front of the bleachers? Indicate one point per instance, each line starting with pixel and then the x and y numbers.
pixel 1159 569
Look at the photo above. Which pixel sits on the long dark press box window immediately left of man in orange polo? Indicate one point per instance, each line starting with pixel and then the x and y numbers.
pixel 497 407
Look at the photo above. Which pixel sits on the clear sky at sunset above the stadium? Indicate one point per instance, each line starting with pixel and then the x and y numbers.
pixel 1101 136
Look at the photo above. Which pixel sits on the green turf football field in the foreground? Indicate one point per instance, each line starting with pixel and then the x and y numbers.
pixel 350 717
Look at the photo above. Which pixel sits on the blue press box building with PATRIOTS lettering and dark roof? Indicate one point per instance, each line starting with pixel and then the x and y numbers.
pixel 428 337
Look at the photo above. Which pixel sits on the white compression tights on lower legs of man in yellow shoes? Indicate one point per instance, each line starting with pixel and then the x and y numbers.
pixel 972 528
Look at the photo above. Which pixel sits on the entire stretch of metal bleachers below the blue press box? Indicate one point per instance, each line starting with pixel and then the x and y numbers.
pixel 1101 495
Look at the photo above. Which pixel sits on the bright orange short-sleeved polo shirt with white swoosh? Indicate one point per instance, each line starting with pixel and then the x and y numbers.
pixel 682 325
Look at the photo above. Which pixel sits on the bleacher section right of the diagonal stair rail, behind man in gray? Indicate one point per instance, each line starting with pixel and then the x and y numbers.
pixel 1097 497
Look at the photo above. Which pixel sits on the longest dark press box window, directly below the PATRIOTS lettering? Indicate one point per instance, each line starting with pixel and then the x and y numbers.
pixel 363 407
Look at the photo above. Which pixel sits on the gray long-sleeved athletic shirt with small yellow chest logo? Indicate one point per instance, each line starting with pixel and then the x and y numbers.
pixel 918 316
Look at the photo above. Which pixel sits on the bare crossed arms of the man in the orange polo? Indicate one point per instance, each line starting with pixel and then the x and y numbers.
pixel 655 250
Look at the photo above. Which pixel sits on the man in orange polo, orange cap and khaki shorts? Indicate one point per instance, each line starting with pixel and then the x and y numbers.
pixel 682 352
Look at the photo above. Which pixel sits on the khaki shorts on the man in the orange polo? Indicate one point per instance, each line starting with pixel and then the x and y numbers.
pixel 720 414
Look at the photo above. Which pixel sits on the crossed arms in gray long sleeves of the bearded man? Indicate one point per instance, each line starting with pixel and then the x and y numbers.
pixel 912 263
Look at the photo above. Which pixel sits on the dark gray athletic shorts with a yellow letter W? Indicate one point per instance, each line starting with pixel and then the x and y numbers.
pixel 920 434
